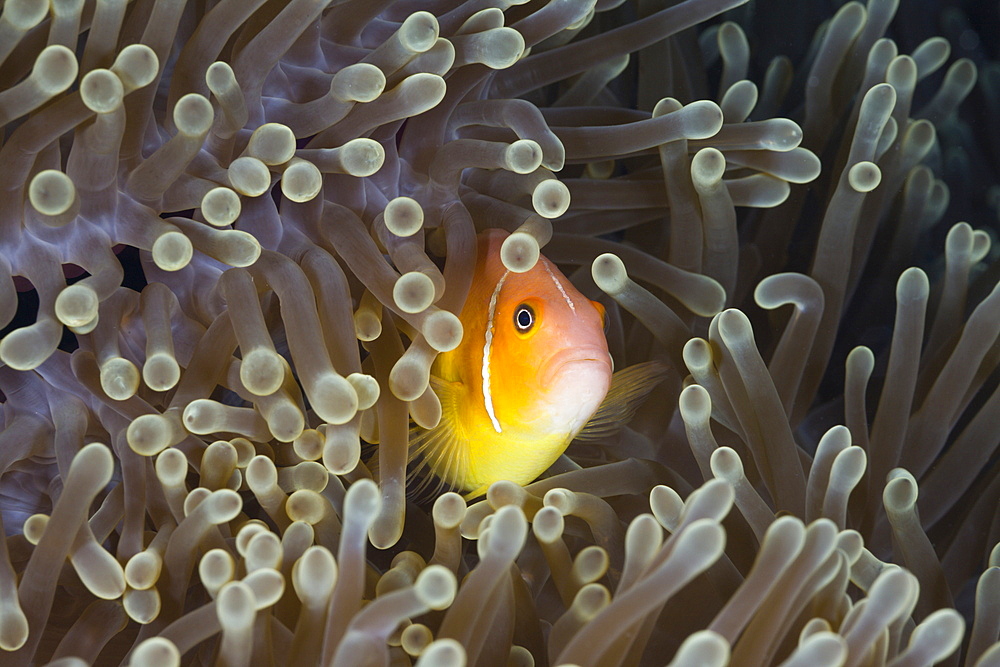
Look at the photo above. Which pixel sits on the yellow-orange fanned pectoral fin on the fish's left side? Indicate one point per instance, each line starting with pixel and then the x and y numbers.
pixel 441 448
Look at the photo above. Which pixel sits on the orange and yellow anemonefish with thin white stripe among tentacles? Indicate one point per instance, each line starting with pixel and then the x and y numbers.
pixel 532 373
